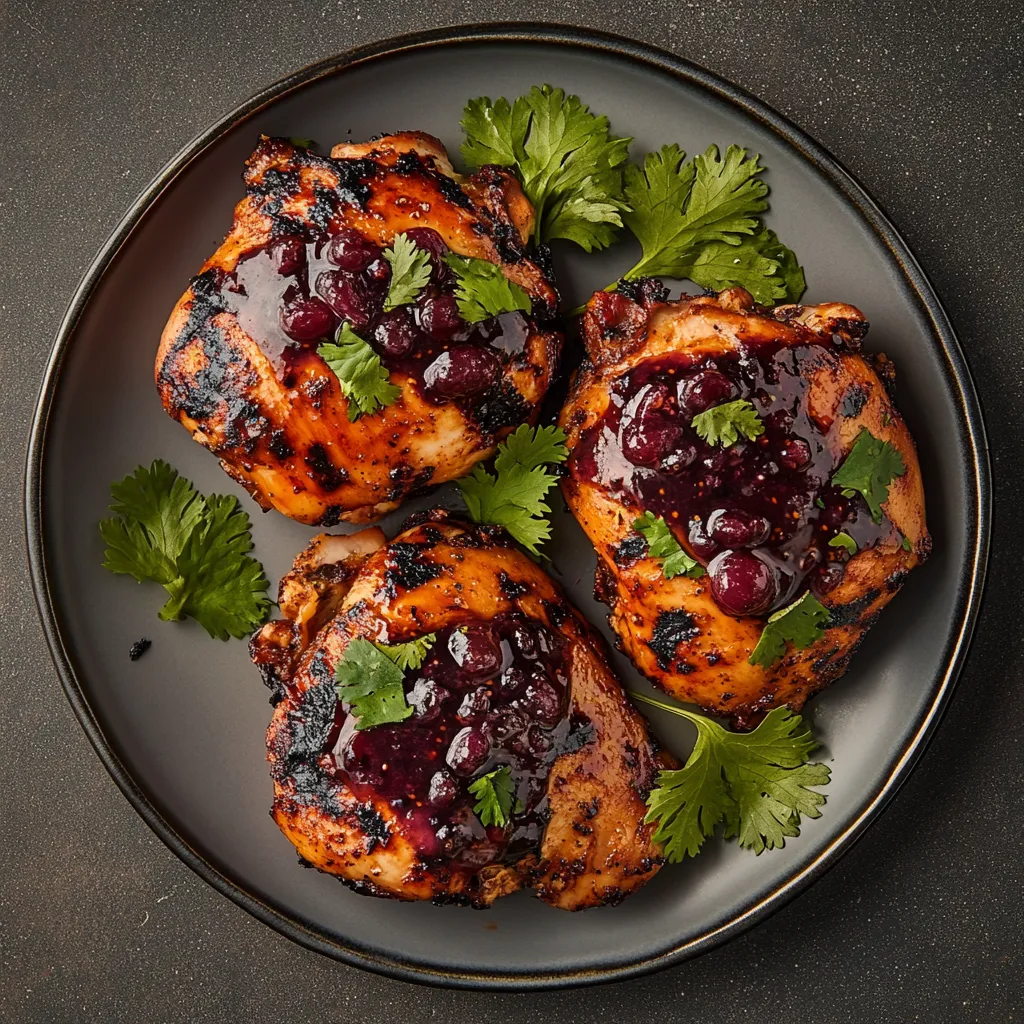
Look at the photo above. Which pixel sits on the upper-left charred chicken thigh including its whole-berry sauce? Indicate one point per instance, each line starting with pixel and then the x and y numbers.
pixel 238 364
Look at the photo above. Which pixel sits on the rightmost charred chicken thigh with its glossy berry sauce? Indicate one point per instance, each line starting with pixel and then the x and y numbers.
pixel 758 515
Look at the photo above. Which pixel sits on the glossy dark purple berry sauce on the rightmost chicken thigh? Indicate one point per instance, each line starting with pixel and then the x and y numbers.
pixel 769 499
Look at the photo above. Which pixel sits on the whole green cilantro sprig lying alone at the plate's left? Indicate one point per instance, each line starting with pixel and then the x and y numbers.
pixel 197 548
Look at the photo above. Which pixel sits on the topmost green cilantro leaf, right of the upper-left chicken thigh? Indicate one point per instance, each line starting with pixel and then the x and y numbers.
pixel 570 164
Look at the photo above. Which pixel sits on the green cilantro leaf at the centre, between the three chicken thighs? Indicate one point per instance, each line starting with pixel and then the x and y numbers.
pixel 514 496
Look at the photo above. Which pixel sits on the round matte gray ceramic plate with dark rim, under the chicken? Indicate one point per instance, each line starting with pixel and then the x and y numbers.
pixel 182 731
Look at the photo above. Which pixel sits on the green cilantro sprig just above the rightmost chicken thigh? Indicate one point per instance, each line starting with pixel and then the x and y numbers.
pixel 700 221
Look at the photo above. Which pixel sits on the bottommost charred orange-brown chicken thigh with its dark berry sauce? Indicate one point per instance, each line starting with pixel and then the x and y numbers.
pixel 515 678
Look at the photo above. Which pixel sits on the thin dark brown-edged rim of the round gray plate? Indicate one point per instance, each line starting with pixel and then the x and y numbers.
pixel 972 439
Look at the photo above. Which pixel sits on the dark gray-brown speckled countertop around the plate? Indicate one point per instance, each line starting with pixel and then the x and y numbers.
pixel 922 922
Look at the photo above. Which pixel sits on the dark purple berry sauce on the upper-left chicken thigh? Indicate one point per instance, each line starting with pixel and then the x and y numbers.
pixel 294 293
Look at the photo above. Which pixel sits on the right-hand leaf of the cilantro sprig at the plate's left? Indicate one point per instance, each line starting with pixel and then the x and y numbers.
pixel 219 583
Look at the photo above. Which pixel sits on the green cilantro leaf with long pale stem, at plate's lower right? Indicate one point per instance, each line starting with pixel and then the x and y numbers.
pixel 757 784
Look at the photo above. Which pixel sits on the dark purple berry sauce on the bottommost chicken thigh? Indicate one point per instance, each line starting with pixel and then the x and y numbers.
pixel 490 695
